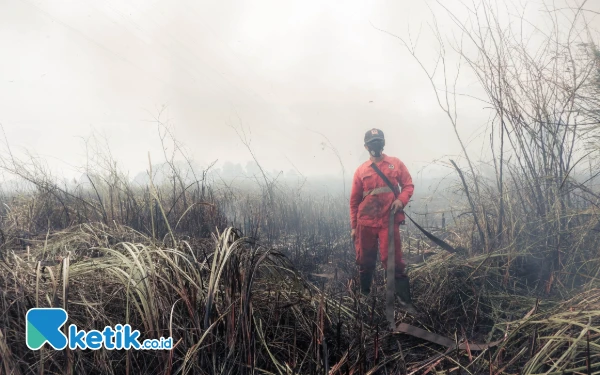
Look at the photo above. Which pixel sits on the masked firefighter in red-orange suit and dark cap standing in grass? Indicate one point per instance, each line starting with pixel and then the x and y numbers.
pixel 370 203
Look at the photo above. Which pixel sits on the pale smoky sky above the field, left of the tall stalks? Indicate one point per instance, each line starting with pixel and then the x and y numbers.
pixel 285 69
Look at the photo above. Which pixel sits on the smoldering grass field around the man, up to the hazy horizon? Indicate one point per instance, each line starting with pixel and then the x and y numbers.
pixel 256 274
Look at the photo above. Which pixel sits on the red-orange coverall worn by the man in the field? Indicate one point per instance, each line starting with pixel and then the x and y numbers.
pixel 369 214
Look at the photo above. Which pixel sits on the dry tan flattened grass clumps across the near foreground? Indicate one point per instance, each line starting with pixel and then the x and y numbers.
pixel 236 307
